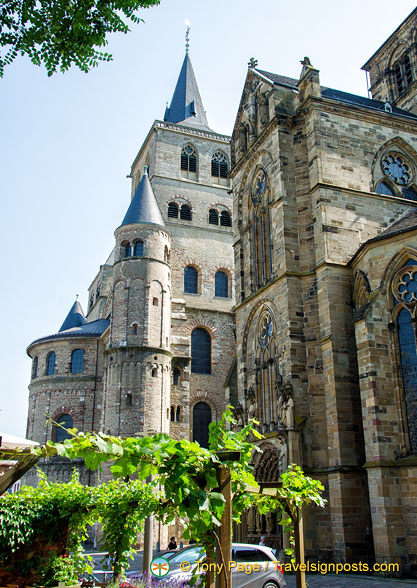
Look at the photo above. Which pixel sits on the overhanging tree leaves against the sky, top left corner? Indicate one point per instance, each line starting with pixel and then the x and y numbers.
pixel 60 33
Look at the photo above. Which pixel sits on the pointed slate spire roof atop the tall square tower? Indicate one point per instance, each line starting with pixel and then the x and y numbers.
pixel 186 104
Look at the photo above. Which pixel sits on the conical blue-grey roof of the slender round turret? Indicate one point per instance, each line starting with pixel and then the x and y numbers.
pixel 143 206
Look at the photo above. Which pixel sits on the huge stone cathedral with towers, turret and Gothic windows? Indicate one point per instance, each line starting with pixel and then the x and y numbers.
pixel 275 270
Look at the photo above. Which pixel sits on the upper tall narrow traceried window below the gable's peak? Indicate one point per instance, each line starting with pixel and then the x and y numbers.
pixel 260 230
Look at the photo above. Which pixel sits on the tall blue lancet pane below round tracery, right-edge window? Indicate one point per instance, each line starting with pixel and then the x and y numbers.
pixel 408 354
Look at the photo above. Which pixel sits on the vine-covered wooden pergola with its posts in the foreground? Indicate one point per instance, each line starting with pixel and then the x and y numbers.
pixel 206 488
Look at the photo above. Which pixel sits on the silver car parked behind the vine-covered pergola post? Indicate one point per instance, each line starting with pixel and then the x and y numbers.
pixel 254 566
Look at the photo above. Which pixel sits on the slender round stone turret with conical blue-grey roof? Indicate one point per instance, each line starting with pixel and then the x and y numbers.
pixel 138 357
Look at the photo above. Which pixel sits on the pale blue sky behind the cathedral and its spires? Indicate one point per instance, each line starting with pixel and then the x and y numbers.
pixel 67 142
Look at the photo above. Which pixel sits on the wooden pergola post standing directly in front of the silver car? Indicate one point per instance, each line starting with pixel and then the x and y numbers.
pixel 224 579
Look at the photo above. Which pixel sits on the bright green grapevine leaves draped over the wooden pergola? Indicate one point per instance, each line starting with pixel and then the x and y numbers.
pixel 187 474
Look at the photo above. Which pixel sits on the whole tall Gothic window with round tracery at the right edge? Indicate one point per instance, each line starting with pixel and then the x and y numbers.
pixel 404 289
